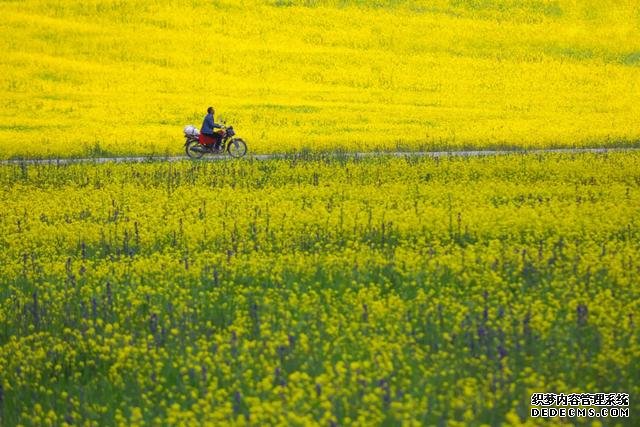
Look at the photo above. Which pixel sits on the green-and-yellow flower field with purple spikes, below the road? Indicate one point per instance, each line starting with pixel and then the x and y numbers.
pixel 317 291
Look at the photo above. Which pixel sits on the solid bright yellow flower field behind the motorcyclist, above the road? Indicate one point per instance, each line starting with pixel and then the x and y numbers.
pixel 109 77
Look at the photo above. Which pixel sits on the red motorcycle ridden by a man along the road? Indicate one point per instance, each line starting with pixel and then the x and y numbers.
pixel 197 145
